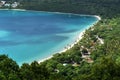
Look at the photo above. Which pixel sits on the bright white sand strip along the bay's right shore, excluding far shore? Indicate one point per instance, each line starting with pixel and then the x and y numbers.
pixel 76 41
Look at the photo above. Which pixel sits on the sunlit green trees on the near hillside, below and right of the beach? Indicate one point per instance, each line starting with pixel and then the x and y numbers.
pixel 70 65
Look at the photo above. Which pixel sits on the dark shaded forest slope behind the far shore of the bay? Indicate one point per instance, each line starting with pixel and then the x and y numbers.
pixel 105 8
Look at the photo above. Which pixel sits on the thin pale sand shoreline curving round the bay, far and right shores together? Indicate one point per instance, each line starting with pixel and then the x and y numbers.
pixel 80 35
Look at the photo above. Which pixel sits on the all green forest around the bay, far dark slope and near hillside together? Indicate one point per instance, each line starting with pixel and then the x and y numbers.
pixel 95 57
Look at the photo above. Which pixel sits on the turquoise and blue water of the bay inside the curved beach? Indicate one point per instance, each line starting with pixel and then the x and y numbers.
pixel 26 36
